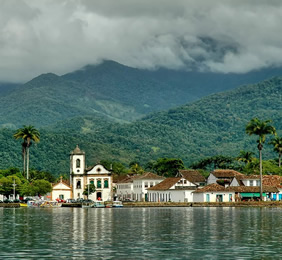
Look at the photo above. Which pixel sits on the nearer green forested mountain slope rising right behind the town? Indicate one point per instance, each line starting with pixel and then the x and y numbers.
pixel 210 126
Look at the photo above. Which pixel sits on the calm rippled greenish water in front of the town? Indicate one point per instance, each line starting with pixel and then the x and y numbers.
pixel 141 233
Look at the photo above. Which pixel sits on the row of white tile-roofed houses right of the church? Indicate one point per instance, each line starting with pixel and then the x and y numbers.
pixel 191 186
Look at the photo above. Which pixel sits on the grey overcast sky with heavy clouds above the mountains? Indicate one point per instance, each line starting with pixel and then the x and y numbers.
pixel 59 36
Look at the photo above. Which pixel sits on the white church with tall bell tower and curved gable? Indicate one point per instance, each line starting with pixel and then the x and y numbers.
pixel 81 177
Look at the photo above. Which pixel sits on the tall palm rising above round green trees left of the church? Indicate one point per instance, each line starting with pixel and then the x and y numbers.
pixel 28 134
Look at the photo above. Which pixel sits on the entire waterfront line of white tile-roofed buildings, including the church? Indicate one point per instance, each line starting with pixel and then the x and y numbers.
pixel 186 186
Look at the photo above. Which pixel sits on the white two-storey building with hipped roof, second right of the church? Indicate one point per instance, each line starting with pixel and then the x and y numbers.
pixel 142 183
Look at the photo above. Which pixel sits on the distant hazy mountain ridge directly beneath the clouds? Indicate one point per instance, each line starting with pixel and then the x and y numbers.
pixel 116 92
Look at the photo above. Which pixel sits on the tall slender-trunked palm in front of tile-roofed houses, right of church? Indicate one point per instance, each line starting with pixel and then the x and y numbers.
pixel 261 129
